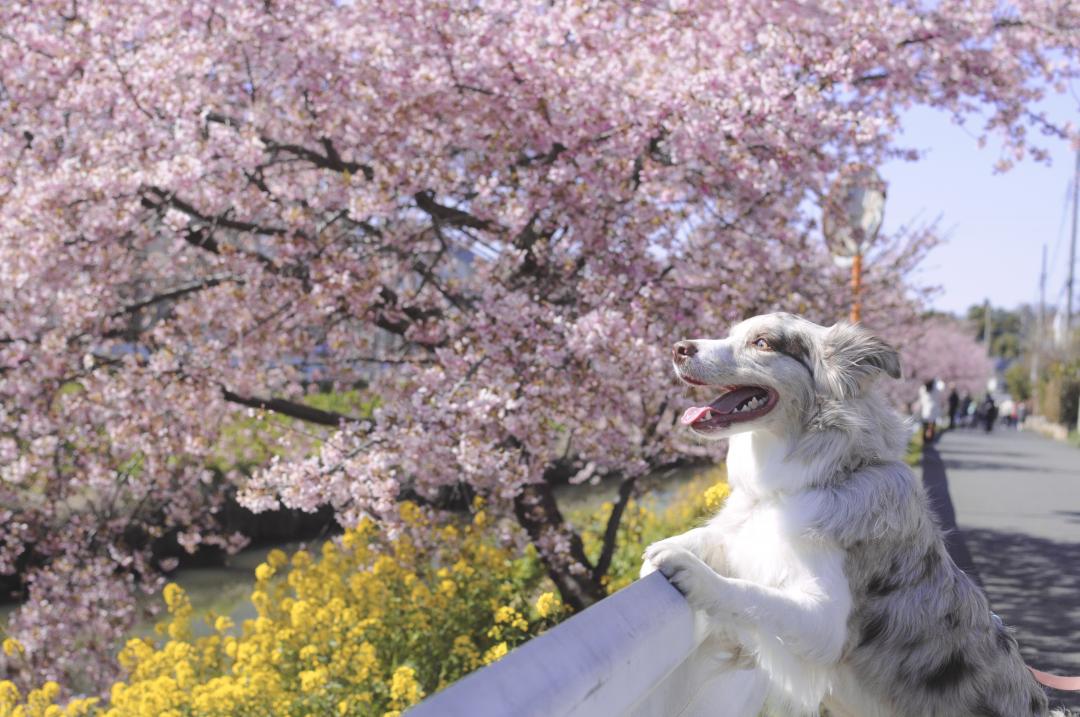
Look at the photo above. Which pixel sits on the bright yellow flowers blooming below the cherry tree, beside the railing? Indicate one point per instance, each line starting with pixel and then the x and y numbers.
pixel 367 630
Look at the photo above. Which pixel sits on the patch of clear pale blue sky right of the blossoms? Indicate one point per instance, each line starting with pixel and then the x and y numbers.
pixel 995 224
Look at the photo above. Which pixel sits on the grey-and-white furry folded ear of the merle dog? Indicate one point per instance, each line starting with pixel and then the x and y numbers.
pixel 852 357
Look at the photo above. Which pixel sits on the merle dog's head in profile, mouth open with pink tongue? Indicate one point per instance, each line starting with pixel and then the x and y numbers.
pixel 774 372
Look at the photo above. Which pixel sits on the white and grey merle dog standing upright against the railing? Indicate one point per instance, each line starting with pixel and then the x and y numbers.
pixel 825 580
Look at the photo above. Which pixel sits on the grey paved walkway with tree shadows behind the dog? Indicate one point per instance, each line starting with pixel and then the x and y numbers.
pixel 1017 498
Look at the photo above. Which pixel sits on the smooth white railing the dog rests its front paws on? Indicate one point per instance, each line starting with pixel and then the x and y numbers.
pixel 625 656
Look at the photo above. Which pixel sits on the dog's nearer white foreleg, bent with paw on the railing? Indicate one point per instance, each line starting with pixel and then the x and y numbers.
pixel 812 624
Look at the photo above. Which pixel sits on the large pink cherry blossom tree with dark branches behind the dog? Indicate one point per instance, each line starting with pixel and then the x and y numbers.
pixel 495 217
